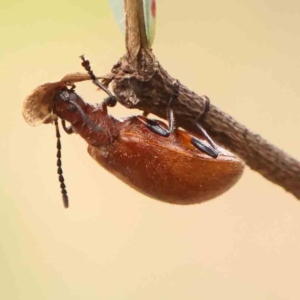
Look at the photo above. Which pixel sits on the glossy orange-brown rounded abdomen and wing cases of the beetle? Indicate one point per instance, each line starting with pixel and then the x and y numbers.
pixel 165 169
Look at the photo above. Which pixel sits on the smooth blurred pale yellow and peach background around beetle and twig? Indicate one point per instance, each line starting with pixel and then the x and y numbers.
pixel 114 243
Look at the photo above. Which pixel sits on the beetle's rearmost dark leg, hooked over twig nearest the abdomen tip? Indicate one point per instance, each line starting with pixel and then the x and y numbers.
pixel 209 150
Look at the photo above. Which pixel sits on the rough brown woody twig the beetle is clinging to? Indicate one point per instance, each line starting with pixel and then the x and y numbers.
pixel 141 82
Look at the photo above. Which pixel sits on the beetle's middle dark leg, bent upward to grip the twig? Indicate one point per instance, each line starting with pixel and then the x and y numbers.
pixel 153 124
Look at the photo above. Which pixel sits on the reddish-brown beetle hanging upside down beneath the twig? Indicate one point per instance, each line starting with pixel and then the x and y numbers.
pixel 160 161
